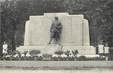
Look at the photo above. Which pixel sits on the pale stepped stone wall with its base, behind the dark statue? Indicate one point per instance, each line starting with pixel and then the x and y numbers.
pixel 75 33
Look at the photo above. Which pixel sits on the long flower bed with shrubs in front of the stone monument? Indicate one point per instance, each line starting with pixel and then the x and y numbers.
pixel 36 55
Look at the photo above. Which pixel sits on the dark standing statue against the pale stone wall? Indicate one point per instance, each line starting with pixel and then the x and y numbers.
pixel 55 31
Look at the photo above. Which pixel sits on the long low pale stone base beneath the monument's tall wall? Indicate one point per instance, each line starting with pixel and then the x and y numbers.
pixel 50 49
